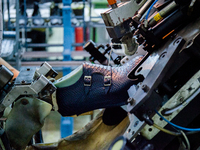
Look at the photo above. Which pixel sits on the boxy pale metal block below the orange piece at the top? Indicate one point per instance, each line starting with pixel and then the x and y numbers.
pixel 117 20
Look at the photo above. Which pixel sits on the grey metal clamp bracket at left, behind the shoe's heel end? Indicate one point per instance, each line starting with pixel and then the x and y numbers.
pixel 31 82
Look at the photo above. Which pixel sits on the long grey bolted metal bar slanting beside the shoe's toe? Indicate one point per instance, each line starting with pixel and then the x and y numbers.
pixel 157 73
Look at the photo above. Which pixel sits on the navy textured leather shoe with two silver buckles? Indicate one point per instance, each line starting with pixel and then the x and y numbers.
pixel 98 87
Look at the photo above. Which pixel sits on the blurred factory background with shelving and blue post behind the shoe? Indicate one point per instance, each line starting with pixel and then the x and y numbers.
pixel 55 31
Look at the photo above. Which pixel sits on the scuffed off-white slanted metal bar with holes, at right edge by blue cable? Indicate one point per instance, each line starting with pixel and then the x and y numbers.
pixel 177 103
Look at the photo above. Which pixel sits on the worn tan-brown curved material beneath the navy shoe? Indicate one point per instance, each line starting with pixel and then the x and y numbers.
pixel 94 136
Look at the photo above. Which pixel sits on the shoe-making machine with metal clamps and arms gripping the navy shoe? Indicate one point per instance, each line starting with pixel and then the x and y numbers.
pixel 166 33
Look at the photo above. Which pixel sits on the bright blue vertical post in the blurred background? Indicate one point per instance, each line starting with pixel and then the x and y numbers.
pixel 67 122
